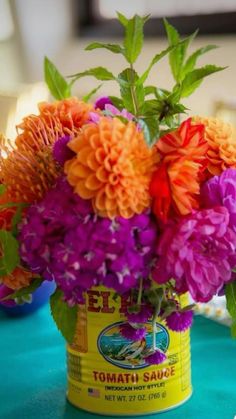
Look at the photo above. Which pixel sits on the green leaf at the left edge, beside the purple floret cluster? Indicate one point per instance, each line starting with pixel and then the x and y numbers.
pixel 9 247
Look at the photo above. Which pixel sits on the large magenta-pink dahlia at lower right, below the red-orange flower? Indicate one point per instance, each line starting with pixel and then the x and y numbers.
pixel 199 253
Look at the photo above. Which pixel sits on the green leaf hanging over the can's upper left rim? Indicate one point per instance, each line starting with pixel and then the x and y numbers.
pixel 64 316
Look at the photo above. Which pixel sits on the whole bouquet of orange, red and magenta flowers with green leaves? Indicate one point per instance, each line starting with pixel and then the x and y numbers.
pixel 120 193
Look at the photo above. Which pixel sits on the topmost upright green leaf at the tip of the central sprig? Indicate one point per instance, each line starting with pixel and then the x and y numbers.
pixel 133 38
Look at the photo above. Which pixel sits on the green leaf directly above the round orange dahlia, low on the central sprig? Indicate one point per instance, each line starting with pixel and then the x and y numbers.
pixel 131 93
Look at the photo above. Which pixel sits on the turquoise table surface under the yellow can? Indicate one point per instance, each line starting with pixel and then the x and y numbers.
pixel 33 372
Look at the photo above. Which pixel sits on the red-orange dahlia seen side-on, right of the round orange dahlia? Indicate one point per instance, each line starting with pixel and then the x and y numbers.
pixel 175 185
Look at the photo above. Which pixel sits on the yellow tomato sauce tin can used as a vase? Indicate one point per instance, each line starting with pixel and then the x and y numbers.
pixel 107 375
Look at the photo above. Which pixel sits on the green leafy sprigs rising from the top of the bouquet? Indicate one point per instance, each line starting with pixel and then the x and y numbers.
pixel 160 113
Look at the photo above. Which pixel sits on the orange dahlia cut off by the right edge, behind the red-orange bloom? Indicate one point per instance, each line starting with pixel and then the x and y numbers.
pixel 221 139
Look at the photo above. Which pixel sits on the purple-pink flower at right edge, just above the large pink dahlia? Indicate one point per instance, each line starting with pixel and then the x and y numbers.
pixel 221 190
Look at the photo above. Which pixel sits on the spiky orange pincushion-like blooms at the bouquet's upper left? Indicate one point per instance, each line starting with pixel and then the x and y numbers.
pixel 28 168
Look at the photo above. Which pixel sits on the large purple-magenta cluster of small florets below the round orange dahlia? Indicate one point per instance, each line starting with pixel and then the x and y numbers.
pixel 61 238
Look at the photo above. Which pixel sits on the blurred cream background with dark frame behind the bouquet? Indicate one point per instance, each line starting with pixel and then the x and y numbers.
pixel 60 29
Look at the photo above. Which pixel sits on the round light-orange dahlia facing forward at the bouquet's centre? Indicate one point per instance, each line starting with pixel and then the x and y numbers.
pixel 113 167
